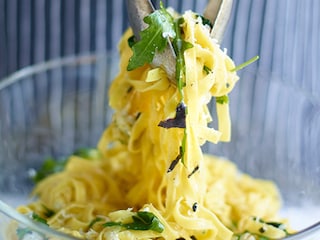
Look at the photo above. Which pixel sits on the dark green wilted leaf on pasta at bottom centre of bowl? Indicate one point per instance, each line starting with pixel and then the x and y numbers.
pixel 143 220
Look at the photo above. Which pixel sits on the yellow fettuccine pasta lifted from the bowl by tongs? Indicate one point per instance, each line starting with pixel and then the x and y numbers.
pixel 140 169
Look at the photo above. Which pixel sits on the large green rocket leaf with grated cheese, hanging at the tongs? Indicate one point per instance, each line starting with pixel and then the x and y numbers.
pixel 153 39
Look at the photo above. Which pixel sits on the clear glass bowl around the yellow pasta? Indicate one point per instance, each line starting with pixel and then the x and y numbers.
pixel 56 107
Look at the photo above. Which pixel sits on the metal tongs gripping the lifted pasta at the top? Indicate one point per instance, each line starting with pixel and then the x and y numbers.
pixel 217 11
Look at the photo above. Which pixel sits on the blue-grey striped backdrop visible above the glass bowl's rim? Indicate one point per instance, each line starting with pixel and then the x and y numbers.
pixel 284 33
